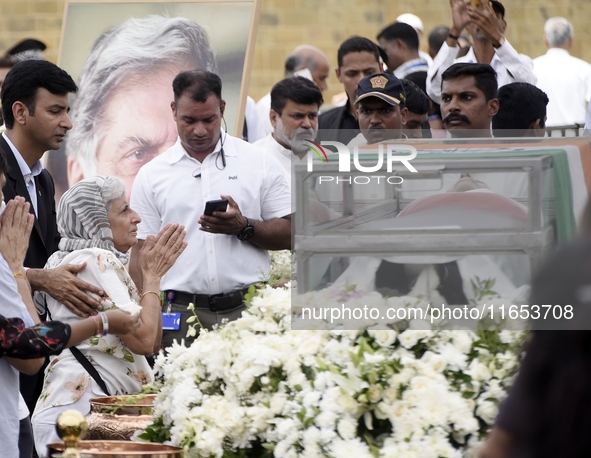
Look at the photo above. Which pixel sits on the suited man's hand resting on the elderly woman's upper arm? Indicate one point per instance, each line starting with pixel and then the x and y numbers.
pixel 62 284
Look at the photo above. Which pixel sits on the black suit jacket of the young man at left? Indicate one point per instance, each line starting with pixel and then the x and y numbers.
pixel 44 236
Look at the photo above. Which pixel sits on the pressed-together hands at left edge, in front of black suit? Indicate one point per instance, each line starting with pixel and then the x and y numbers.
pixel 15 230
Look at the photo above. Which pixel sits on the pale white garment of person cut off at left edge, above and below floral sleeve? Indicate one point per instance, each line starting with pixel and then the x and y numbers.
pixel 12 307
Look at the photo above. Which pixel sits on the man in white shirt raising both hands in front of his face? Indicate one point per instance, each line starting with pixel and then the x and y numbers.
pixel 486 24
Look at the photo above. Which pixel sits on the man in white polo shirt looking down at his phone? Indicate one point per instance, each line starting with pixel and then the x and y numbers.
pixel 227 251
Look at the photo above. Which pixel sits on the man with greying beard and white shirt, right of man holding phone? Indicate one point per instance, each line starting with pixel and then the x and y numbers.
pixel 295 103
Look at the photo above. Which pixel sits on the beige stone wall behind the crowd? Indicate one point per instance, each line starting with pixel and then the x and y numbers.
pixel 284 24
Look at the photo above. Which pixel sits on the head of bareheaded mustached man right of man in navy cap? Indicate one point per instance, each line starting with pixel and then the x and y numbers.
pixel 469 100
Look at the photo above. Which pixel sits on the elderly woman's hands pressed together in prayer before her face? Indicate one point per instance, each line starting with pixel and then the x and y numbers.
pixel 159 253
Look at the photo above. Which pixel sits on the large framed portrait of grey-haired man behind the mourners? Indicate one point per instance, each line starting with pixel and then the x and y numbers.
pixel 123 57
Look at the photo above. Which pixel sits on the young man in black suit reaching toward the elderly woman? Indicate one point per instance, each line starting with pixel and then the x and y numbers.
pixel 35 108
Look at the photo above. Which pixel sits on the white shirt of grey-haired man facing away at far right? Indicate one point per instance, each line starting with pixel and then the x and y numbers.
pixel 567 82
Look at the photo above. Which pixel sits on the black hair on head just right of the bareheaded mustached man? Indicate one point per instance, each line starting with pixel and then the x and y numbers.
pixel 520 105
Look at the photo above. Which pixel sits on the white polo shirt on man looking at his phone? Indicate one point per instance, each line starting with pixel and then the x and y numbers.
pixel 168 189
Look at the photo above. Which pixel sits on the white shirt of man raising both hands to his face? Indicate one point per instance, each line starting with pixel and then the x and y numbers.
pixel 510 66
